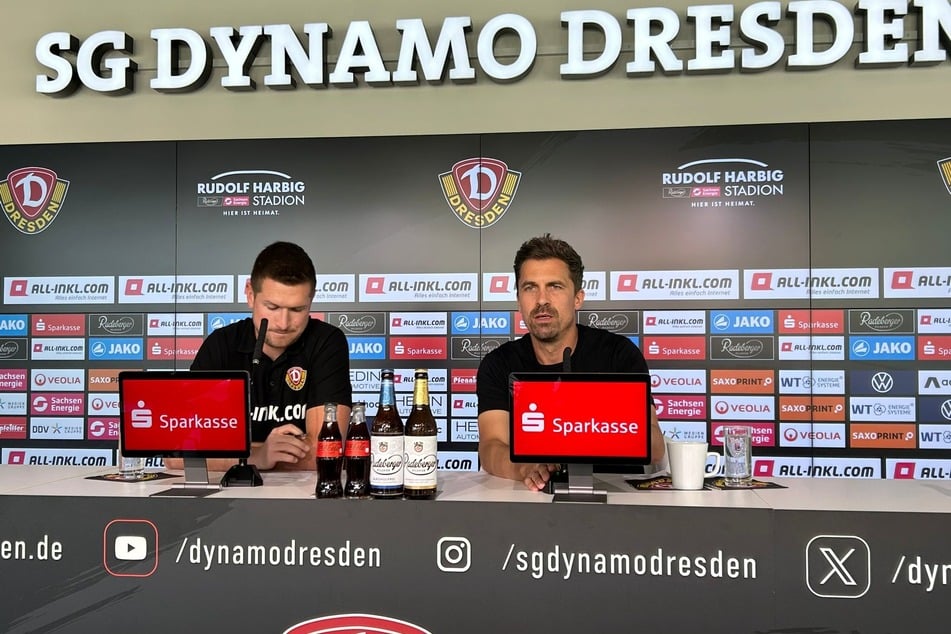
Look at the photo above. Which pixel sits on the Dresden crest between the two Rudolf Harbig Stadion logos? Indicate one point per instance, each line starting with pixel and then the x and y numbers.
pixel 479 190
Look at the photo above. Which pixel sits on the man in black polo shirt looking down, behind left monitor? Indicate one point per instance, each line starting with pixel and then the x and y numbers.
pixel 305 364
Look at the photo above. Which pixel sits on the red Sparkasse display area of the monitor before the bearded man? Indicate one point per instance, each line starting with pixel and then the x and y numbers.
pixel 589 421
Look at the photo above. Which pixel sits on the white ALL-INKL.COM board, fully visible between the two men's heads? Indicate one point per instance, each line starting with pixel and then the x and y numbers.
pixel 419 287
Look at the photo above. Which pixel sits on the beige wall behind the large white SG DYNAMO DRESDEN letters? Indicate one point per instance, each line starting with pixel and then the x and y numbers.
pixel 541 101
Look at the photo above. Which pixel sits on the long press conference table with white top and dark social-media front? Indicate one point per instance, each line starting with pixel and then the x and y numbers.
pixel 820 555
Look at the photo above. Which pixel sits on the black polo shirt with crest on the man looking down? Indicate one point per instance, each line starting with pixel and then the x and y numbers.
pixel 312 371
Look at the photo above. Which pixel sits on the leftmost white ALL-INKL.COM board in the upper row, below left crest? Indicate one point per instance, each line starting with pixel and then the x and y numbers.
pixel 59 290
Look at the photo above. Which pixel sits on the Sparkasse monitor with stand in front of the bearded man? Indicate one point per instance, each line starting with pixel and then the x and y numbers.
pixel 580 419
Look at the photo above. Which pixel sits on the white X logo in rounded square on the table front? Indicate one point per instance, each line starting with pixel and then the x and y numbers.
pixel 838 566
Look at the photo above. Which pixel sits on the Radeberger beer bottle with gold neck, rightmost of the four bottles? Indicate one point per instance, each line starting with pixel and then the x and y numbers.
pixel 419 444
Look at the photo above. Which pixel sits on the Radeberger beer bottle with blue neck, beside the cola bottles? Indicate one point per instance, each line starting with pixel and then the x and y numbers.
pixel 386 444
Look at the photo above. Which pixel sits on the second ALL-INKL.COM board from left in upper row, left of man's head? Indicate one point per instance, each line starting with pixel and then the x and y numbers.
pixel 176 289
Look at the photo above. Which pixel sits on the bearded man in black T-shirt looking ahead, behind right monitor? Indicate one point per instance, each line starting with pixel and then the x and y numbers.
pixel 548 276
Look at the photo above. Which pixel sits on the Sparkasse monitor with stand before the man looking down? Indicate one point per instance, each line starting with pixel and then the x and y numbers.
pixel 181 414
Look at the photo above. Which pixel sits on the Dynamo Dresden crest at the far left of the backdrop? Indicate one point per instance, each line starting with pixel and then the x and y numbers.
pixel 32 198
